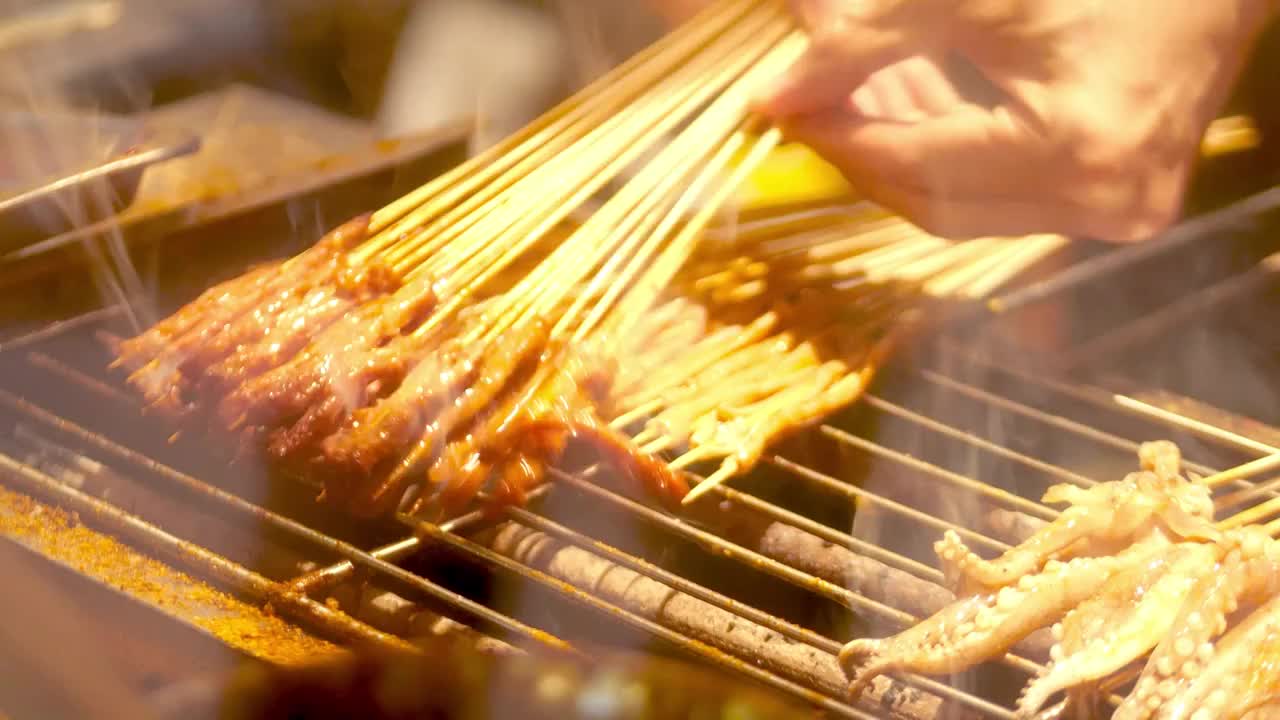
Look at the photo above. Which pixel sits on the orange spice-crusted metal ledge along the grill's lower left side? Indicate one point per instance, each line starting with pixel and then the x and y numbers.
pixel 241 626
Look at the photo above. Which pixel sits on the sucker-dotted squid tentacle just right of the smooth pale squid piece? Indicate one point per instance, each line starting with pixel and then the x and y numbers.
pixel 1249 571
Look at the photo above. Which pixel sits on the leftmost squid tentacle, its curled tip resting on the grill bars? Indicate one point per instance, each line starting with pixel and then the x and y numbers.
pixel 977 628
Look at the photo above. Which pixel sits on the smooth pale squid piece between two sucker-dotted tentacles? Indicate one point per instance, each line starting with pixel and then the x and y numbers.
pixel 1122 623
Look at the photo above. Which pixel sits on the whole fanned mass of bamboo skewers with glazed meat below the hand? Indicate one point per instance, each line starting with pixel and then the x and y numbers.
pixel 460 338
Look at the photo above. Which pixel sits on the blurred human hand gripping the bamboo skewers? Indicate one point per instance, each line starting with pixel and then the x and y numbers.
pixel 1104 106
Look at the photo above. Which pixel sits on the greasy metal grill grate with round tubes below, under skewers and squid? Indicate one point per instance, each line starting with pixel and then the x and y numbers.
pixel 765 578
